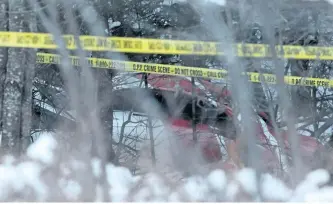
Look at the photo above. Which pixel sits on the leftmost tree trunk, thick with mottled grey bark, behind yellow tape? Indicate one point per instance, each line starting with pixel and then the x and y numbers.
pixel 18 62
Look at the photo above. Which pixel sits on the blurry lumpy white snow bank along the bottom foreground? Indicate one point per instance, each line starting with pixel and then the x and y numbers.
pixel 44 175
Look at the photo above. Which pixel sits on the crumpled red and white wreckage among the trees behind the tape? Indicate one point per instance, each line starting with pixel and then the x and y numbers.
pixel 199 123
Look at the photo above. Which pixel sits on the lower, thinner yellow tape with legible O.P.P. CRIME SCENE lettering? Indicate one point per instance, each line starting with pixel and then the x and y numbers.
pixel 173 70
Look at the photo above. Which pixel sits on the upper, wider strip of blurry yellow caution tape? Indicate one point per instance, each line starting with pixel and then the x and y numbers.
pixel 159 46
